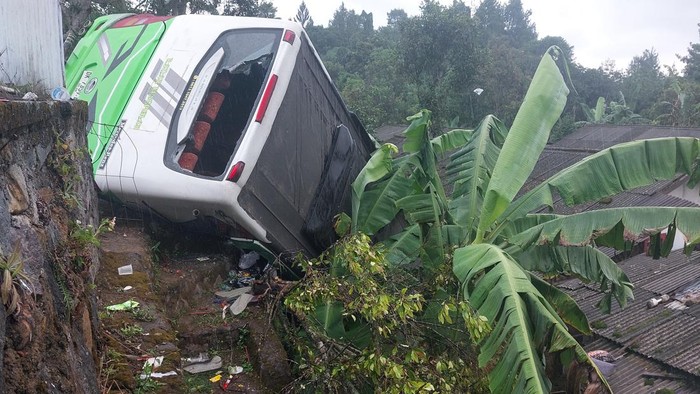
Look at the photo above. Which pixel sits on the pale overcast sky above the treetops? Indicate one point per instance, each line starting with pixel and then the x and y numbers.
pixel 597 29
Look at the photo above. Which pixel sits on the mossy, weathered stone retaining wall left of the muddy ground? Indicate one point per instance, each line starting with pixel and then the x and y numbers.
pixel 47 205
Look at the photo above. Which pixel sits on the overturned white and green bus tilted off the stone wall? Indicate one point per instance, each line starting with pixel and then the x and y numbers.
pixel 208 117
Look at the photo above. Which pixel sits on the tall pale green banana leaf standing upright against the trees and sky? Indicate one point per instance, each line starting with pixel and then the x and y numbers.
pixel 541 108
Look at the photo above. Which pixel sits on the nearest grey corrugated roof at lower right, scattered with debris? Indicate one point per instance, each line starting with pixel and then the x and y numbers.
pixel 661 338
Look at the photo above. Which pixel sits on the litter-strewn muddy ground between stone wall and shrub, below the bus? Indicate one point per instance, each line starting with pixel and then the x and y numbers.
pixel 179 316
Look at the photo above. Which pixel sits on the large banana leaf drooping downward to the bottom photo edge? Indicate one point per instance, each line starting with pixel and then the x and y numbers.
pixel 501 291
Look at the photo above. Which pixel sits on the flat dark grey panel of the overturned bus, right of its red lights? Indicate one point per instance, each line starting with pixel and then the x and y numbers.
pixel 282 186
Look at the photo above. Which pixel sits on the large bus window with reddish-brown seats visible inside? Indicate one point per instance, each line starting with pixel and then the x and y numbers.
pixel 219 100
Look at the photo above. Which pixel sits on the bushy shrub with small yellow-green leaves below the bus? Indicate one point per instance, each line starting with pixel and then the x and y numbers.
pixel 380 328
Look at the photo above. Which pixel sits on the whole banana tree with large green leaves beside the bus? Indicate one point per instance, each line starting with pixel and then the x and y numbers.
pixel 494 240
